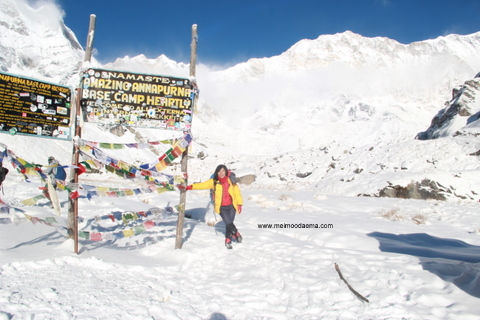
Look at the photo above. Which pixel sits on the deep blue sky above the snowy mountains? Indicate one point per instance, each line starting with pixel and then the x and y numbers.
pixel 235 31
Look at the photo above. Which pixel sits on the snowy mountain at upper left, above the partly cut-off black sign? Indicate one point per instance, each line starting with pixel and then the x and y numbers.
pixel 33 46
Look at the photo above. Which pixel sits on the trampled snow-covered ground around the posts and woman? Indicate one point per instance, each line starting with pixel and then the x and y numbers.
pixel 411 259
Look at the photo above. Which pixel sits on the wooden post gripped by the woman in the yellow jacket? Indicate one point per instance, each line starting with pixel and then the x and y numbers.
pixel 183 193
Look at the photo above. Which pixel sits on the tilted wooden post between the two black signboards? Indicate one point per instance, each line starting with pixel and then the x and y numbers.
pixel 73 203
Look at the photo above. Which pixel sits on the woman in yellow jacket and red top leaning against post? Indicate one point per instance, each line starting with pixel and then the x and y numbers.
pixel 227 200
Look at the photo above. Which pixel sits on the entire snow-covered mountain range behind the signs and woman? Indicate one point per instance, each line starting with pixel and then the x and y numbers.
pixel 354 104
